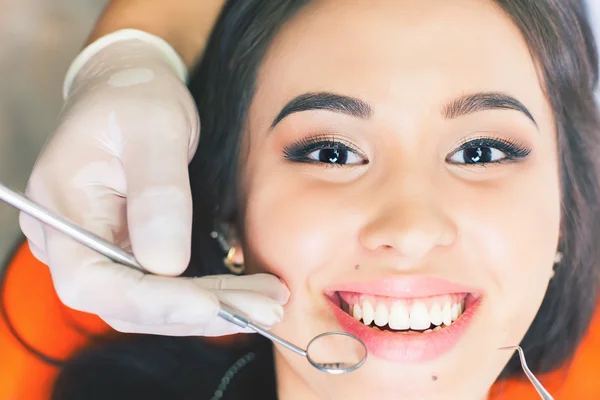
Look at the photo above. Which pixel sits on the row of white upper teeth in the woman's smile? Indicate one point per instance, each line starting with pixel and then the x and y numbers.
pixel 401 314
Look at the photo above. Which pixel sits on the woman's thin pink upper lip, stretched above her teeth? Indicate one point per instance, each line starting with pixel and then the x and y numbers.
pixel 404 286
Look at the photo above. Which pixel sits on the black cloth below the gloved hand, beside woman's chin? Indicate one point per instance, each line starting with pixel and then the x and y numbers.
pixel 156 367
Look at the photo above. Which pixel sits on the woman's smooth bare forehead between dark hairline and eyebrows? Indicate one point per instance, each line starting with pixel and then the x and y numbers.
pixel 400 54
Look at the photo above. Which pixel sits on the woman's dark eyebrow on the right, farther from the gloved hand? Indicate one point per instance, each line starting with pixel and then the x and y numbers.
pixel 472 103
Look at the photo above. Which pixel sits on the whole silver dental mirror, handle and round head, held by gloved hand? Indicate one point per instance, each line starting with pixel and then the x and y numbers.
pixel 323 351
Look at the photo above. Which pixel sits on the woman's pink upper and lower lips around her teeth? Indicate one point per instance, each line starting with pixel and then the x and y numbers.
pixel 407 347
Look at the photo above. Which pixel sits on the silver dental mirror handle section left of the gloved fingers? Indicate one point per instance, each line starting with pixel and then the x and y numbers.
pixel 82 236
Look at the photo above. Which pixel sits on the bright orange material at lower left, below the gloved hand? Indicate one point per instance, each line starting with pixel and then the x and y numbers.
pixel 43 322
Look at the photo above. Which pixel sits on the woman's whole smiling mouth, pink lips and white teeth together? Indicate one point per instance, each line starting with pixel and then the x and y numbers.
pixel 402 328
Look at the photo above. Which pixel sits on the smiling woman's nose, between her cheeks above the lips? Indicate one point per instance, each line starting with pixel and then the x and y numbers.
pixel 410 228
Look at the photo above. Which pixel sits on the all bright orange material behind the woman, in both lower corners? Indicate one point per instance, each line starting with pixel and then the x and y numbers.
pixel 50 327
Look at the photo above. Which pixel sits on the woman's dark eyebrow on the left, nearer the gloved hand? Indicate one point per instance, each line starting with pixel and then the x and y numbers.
pixel 325 101
